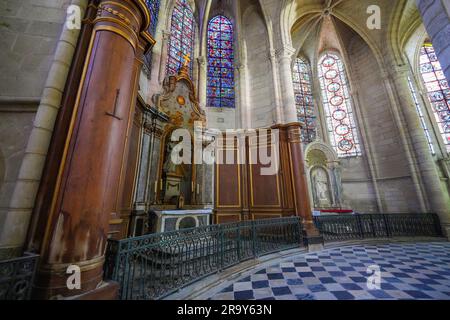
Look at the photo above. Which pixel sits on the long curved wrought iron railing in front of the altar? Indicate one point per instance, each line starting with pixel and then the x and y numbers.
pixel 155 265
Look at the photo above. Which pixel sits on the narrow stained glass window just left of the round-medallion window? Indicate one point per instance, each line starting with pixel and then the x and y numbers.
pixel 303 99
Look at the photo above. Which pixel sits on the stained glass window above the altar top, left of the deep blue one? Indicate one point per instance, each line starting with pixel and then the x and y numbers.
pixel 182 37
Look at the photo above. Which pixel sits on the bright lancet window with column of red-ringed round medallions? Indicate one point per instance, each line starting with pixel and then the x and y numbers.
pixel 338 106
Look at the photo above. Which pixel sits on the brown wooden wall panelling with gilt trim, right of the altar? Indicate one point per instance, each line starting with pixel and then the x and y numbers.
pixel 243 191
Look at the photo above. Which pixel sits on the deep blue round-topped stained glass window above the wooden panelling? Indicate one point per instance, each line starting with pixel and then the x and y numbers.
pixel 220 90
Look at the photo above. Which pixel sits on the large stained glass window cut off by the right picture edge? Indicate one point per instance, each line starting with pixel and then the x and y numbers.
pixel 437 89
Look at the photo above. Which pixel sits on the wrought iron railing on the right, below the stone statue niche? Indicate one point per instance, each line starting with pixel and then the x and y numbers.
pixel 363 226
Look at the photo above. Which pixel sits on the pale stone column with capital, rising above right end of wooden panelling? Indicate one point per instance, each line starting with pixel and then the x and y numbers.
pixel 287 87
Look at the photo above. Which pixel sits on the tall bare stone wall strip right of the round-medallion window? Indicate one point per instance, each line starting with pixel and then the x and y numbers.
pixel 391 171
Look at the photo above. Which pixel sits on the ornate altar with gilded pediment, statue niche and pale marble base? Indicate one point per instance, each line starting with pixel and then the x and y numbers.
pixel 176 191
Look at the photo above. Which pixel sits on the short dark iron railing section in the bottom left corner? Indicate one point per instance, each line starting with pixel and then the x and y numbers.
pixel 17 276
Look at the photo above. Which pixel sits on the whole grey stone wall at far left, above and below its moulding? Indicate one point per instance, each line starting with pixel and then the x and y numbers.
pixel 29 30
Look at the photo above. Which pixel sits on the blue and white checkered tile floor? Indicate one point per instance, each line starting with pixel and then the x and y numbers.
pixel 408 271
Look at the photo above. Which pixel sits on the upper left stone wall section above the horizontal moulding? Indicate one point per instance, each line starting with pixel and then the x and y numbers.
pixel 29 30
